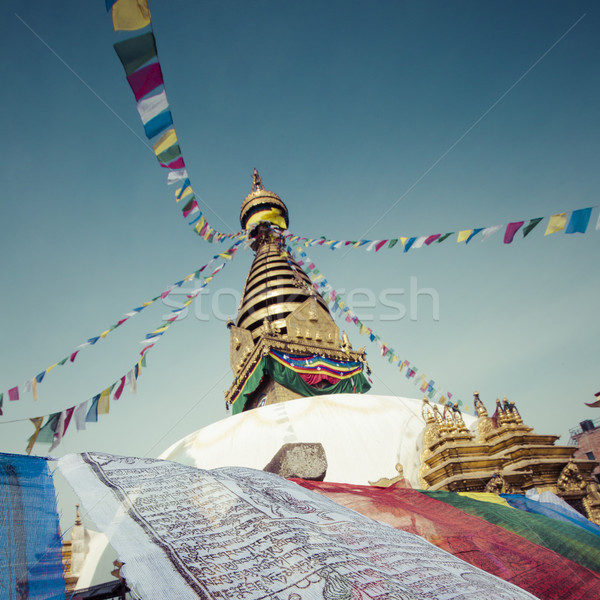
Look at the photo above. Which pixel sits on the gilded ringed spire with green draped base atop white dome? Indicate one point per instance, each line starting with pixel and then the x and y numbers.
pixel 284 342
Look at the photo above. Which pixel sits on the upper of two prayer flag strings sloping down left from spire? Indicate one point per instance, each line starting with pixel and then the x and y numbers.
pixel 30 386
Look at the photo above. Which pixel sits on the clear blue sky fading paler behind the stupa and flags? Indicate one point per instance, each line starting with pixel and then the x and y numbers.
pixel 346 109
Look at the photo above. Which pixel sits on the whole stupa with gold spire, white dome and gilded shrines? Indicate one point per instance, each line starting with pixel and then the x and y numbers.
pixel 298 381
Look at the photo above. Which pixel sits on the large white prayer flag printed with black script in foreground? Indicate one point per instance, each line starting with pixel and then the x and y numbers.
pixel 236 533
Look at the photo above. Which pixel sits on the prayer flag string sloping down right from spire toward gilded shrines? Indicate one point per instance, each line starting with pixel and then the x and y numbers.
pixel 330 295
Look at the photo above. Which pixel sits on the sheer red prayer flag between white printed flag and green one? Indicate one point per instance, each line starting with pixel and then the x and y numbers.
pixel 489 547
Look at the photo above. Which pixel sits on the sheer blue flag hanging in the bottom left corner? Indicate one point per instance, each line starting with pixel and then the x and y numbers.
pixel 30 550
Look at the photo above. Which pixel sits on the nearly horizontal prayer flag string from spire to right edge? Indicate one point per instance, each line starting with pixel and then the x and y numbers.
pixel 578 222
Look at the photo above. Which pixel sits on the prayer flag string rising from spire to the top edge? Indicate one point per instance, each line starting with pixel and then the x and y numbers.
pixel 139 57
